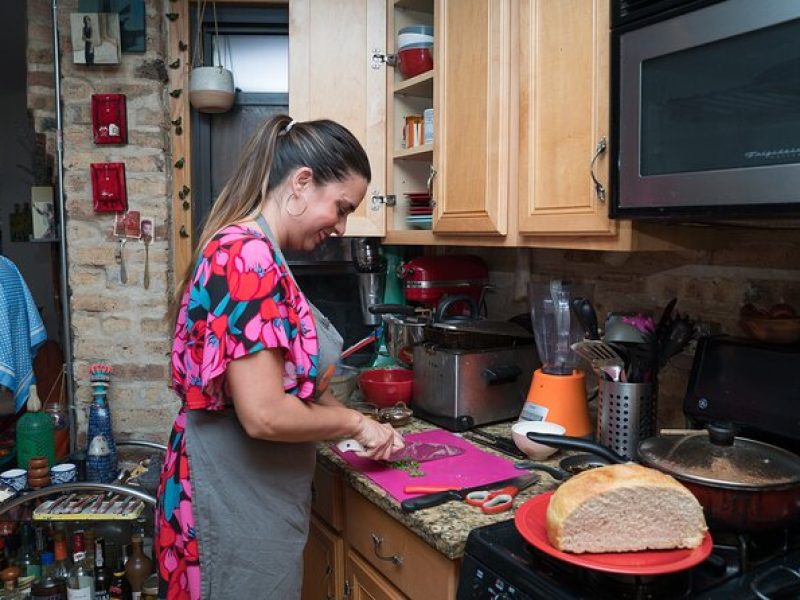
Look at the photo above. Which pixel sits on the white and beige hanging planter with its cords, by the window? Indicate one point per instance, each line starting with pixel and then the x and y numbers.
pixel 211 88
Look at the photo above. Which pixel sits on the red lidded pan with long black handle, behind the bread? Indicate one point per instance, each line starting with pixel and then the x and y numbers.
pixel 743 485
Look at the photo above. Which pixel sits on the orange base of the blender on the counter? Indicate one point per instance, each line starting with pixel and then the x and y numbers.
pixel 561 399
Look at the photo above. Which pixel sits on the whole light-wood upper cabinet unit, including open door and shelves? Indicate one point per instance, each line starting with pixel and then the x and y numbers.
pixel 520 92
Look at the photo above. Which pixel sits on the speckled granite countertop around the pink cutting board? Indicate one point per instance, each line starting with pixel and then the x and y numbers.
pixel 444 527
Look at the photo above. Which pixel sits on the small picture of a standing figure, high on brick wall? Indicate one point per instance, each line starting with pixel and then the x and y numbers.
pixel 95 38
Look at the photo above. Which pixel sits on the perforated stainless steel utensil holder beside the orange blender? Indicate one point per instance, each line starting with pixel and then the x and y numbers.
pixel 626 414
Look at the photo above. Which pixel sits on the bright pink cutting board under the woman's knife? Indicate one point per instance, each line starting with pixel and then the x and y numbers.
pixel 473 467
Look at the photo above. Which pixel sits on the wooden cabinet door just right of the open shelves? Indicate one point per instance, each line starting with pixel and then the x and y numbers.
pixel 473 116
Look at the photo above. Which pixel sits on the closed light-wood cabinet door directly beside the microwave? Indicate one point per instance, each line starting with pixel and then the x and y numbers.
pixel 563 116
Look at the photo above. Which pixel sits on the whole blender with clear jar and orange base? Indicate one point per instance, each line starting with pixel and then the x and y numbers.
pixel 557 393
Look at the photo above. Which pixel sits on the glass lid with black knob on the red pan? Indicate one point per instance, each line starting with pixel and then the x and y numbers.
pixel 725 461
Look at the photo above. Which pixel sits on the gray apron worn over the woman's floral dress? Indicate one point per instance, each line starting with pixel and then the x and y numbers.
pixel 252 498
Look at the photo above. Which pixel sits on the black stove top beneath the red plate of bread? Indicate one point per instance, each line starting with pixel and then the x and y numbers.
pixel 500 564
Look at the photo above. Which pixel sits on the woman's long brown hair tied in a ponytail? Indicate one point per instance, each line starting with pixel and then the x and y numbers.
pixel 278 147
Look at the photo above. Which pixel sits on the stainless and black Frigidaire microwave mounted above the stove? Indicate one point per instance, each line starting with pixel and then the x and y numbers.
pixel 705 108
